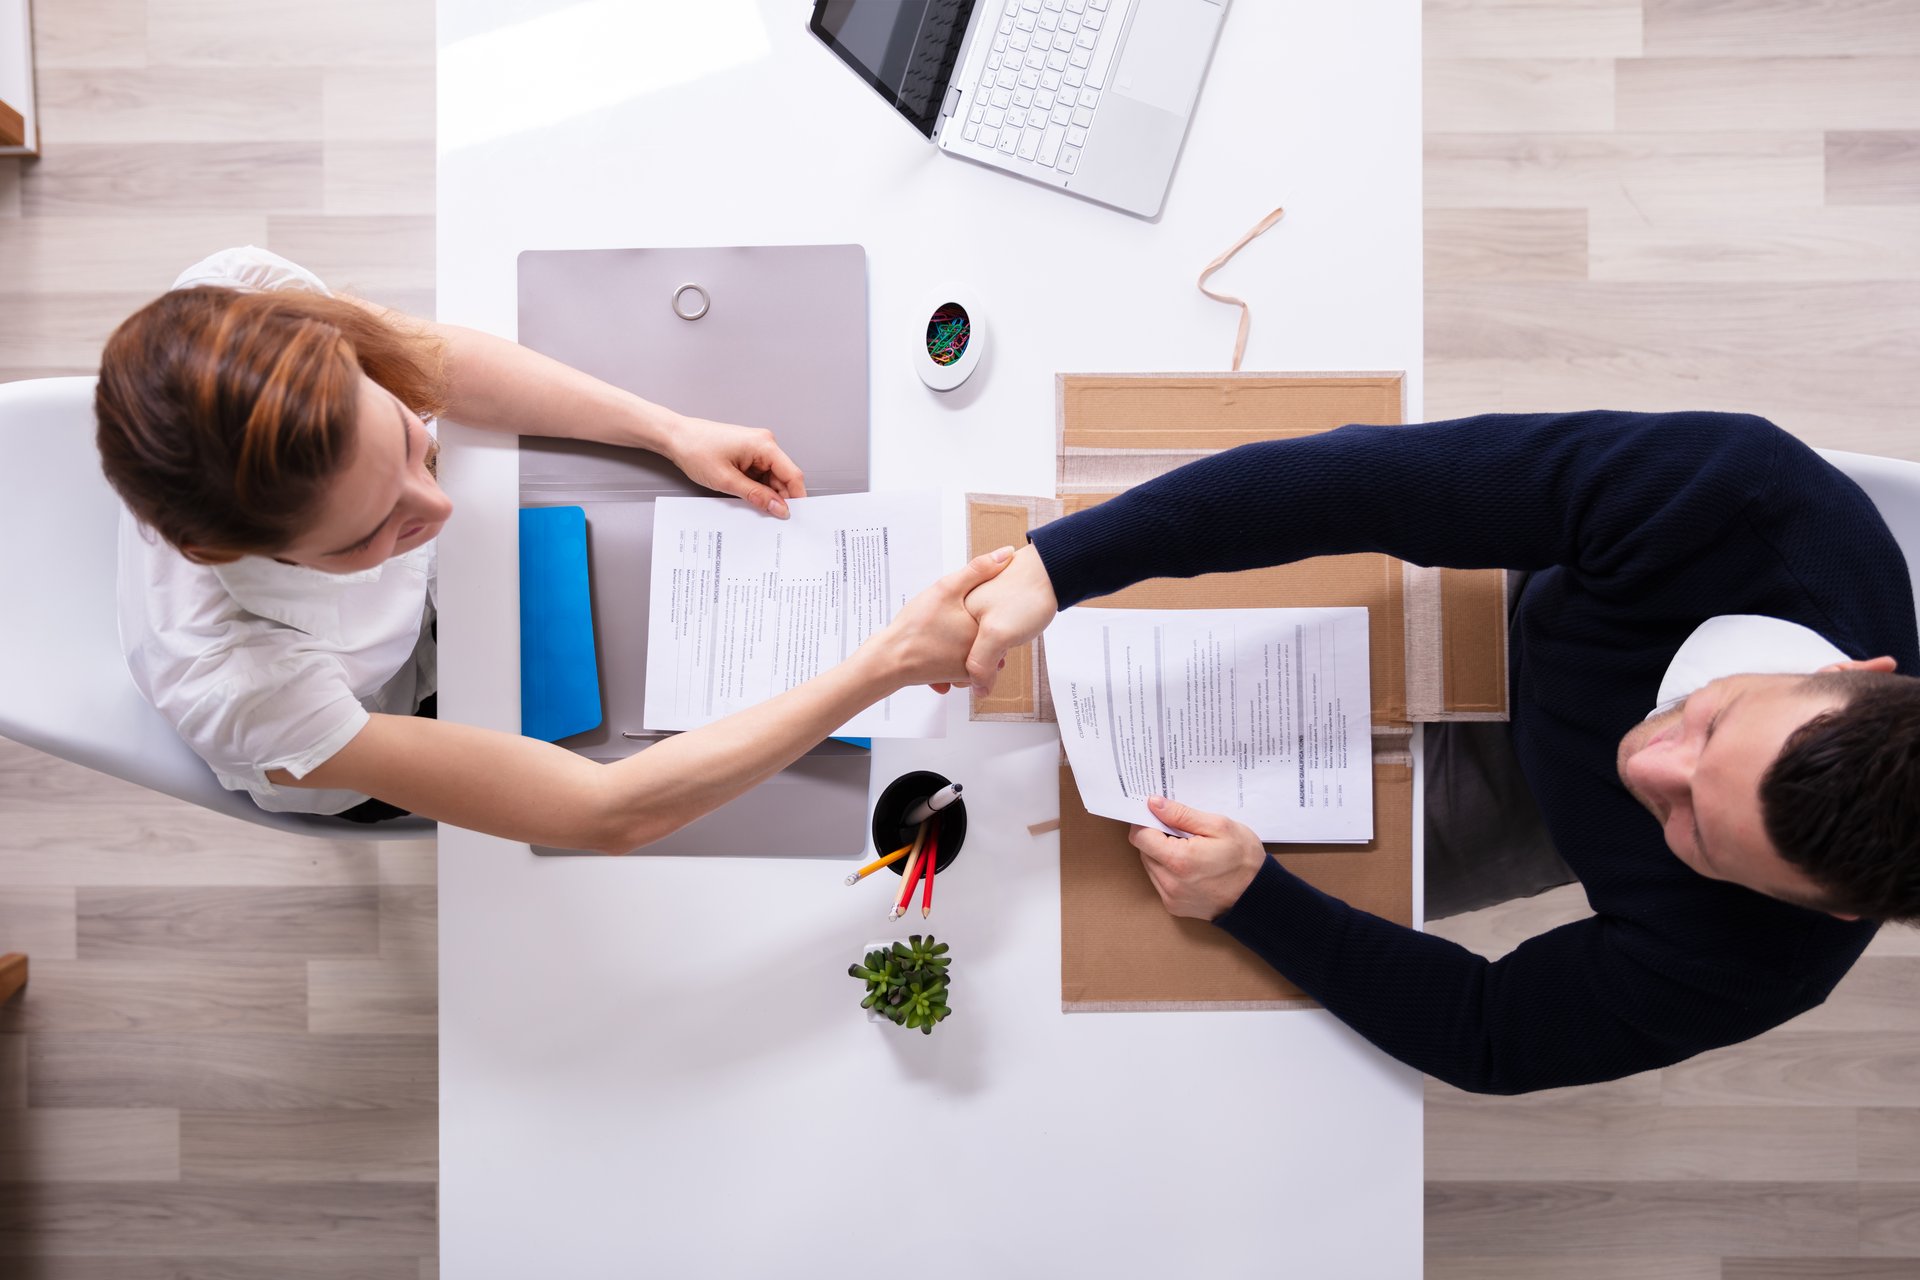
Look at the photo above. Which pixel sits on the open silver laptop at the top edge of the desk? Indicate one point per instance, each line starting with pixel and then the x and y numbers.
pixel 1090 97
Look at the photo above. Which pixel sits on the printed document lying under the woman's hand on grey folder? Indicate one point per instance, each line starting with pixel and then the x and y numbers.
pixel 746 607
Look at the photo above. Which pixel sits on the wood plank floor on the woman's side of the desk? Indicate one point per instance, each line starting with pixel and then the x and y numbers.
pixel 226 1062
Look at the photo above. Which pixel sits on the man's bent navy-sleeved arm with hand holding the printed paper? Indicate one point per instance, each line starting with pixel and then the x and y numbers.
pixel 1587 1003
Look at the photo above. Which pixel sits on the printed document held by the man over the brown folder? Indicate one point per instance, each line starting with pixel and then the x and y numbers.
pixel 1260 715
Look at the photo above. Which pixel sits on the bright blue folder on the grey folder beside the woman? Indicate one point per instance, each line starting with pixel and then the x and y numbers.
pixel 560 676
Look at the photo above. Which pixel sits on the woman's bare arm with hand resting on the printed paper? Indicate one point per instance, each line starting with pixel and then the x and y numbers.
pixel 502 387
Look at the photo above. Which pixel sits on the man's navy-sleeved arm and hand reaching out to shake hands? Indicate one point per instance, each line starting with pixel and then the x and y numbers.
pixel 1618 496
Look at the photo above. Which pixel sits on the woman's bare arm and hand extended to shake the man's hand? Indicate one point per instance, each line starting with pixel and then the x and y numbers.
pixel 533 792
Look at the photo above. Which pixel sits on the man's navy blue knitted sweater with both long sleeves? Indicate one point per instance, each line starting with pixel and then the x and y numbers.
pixel 1639 529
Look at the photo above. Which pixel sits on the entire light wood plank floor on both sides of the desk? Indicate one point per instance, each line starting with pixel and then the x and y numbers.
pixel 224 1066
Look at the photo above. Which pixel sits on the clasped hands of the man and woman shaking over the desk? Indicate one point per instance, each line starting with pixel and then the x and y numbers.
pixel 959 630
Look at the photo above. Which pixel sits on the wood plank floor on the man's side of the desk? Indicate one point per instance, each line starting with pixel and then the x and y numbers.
pixel 1662 204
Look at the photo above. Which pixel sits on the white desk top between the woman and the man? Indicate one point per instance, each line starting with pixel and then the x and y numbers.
pixel 660 1066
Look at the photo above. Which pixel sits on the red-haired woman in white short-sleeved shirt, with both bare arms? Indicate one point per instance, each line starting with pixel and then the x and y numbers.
pixel 276 448
